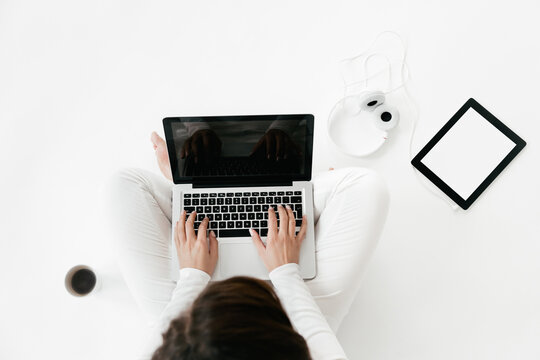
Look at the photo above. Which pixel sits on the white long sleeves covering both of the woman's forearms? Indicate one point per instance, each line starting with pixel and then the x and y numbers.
pixel 300 306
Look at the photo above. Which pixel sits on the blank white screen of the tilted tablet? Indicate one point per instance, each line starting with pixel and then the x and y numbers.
pixel 468 153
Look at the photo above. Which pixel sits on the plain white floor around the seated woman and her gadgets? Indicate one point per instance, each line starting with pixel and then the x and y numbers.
pixel 82 84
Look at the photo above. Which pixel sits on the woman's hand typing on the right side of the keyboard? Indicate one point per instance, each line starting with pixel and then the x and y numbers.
pixel 282 245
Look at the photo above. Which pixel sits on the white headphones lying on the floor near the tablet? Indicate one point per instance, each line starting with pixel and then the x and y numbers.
pixel 383 119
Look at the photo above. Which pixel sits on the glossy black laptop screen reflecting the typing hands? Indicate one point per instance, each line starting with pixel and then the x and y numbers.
pixel 247 149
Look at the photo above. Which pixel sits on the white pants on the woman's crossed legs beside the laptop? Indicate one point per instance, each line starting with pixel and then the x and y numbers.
pixel 350 210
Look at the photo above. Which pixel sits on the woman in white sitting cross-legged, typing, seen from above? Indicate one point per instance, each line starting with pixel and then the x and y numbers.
pixel 244 318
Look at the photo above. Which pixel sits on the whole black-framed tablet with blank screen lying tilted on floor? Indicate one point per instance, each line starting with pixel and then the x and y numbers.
pixel 468 153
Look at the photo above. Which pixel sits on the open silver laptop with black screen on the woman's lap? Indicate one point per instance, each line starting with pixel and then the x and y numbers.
pixel 232 169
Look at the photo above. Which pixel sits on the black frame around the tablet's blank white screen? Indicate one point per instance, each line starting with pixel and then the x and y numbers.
pixel 466 203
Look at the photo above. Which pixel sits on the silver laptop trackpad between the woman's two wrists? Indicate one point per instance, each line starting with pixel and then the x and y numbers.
pixel 240 259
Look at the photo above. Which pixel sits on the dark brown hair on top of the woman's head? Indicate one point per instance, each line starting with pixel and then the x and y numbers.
pixel 238 318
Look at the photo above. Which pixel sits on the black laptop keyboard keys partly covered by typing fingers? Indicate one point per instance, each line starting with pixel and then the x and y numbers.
pixel 233 214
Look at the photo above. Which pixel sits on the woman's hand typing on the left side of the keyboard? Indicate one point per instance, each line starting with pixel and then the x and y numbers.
pixel 194 250
